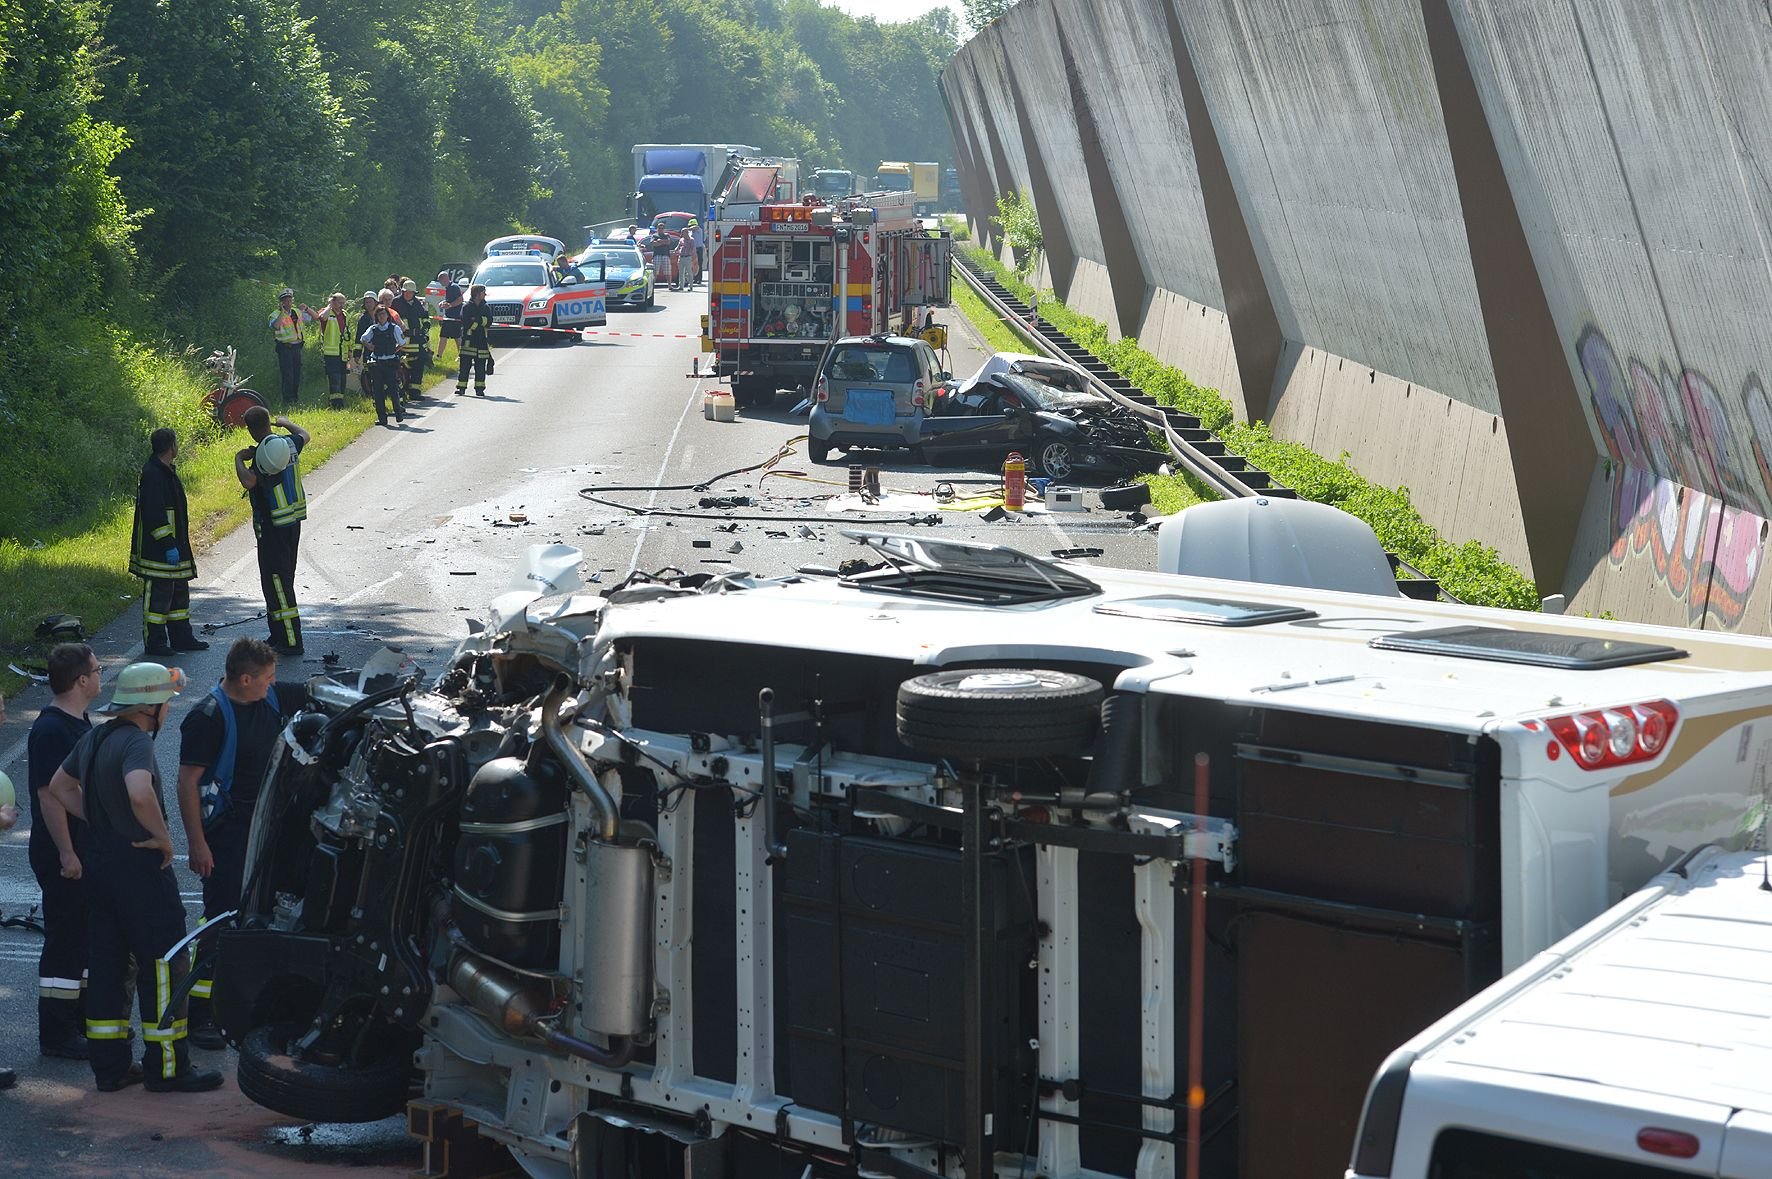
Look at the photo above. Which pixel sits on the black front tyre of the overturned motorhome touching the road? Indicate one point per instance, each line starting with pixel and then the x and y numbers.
pixel 320 1093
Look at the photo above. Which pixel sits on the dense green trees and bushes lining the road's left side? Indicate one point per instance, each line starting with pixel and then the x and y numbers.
pixel 166 166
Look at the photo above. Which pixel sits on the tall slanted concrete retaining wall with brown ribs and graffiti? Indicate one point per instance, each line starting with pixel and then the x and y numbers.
pixel 1504 253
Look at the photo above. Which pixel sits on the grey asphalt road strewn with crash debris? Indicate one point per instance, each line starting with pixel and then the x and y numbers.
pixel 410 533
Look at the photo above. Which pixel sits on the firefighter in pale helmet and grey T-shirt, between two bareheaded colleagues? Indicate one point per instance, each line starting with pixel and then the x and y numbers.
pixel 132 896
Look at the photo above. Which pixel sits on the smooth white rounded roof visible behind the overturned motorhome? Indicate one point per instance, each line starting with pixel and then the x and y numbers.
pixel 1278 543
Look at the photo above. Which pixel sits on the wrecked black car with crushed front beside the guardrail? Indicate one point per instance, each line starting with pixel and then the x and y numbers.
pixel 1046 412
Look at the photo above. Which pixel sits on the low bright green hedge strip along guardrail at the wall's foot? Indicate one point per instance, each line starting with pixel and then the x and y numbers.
pixel 1470 572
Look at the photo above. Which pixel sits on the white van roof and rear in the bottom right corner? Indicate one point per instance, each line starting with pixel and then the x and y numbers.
pixel 1636 1049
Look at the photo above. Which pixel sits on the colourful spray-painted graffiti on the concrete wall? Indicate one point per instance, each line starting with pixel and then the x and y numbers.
pixel 1670 435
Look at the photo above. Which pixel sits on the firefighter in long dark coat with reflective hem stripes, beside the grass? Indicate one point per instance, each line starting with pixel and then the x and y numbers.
pixel 160 552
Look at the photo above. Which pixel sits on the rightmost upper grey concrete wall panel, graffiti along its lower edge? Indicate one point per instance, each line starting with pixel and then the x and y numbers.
pixel 1633 136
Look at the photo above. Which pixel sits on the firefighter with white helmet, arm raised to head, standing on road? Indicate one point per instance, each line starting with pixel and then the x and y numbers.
pixel 272 474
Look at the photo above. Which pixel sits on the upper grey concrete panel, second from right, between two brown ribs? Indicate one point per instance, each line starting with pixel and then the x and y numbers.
pixel 1332 127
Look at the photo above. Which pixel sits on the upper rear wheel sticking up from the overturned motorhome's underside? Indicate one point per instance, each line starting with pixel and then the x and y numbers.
pixel 1007 712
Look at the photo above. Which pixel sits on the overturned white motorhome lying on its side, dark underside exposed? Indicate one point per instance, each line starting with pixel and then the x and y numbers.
pixel 967 863
